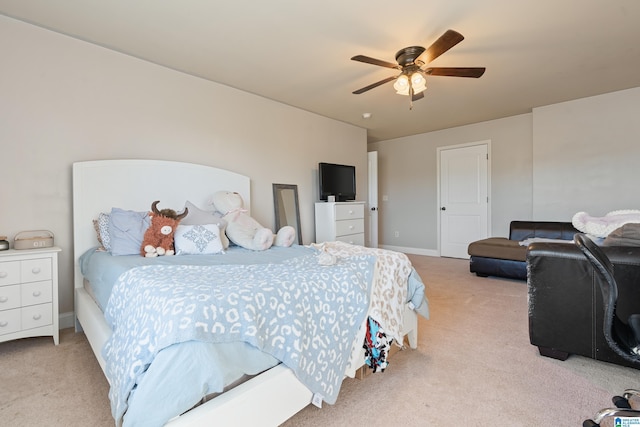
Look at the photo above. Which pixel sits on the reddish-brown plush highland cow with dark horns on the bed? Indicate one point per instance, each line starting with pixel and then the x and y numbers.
pixel 158 239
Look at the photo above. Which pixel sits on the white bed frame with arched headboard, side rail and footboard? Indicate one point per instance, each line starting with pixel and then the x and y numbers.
pixel 267 399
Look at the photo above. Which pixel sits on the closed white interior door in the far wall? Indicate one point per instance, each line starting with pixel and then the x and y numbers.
pixel 464 204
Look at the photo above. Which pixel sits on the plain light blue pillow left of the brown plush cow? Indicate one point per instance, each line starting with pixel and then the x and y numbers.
pixel 126 231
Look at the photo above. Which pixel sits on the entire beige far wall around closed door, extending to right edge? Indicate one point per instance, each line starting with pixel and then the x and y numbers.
pixel 581 155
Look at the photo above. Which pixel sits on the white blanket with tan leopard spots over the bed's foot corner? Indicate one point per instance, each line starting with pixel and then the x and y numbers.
pixel 389 290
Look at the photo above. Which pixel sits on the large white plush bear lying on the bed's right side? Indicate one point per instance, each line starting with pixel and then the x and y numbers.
pixel 245 231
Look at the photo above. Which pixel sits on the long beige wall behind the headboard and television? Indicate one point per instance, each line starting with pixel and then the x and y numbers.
pixel 64 100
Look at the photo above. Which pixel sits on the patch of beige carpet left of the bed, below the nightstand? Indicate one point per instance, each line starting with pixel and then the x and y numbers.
pixel 46 385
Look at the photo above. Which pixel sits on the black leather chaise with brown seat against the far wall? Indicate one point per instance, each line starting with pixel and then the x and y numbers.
pixel 502 257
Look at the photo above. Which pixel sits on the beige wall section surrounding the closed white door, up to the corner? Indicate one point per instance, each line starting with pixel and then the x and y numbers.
pixel 407 175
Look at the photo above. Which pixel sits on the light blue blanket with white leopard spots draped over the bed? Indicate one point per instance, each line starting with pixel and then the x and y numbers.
pixel 302 313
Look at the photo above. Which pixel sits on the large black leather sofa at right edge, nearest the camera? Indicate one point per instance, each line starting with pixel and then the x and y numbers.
pixel 565 301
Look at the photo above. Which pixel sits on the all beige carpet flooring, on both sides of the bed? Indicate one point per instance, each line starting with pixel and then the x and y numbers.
pixel 474 367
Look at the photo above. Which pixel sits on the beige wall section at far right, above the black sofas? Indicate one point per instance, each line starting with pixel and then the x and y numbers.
pixel 592 147
